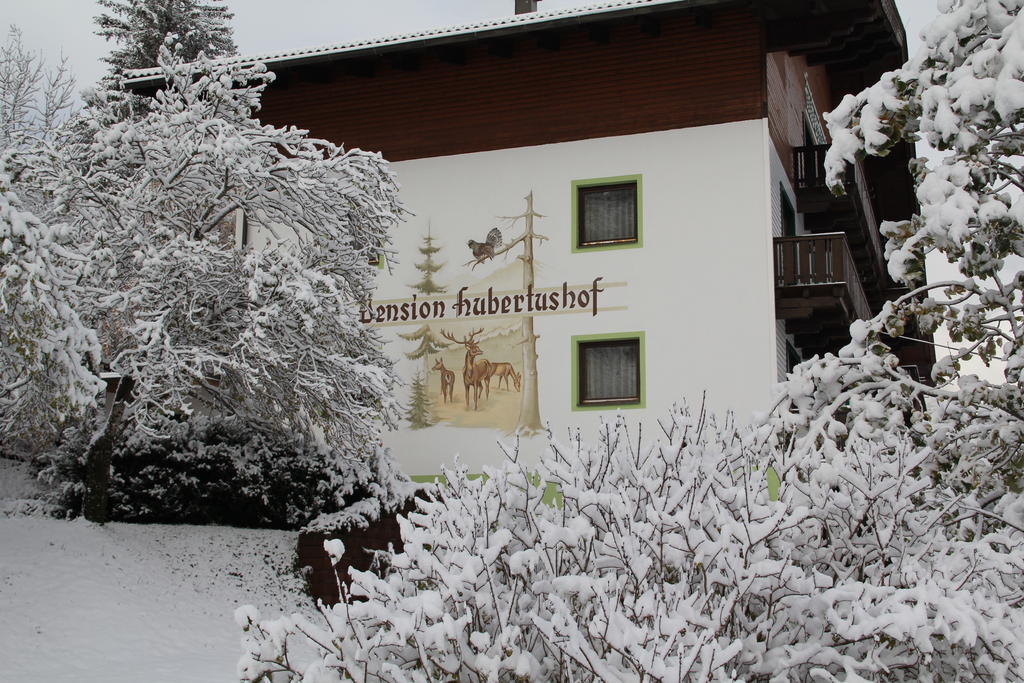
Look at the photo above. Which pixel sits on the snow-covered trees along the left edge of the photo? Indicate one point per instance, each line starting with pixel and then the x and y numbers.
pixel 46 350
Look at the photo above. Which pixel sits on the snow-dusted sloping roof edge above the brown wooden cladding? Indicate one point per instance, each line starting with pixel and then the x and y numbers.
pixel 489 29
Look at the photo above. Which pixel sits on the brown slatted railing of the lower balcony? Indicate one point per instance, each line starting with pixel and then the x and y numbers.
pixel 820 260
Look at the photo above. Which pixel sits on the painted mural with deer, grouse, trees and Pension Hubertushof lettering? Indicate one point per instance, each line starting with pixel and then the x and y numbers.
pixel 471 327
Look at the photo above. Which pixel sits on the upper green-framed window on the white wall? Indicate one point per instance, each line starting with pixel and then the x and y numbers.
pixel 607 214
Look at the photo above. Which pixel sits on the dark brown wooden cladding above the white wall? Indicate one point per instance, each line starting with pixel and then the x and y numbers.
pixel 629 76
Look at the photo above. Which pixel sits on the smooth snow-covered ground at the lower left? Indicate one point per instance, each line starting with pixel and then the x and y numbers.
pixel 130 603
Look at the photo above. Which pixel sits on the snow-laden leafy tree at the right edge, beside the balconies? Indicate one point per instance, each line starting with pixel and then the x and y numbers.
pixel 964 95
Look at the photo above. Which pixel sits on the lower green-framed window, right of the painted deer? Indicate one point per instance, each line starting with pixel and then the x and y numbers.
pixel 609 371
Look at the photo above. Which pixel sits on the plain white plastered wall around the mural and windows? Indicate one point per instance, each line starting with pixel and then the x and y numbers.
pixel 701 287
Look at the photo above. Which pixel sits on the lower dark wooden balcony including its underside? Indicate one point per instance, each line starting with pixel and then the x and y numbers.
pixel 819 291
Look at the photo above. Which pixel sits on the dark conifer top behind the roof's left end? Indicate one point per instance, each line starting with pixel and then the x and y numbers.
pixel 140 28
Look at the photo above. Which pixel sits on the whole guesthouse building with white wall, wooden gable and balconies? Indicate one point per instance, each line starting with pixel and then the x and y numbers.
pixel 613 209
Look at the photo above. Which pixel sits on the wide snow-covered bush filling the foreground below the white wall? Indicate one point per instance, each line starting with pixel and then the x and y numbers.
pixel 671 562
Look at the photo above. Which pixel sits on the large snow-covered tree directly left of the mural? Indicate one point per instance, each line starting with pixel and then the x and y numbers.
pixel 270 336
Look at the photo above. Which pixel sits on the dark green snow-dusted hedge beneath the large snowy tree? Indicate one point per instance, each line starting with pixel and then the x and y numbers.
pixel 205 472
